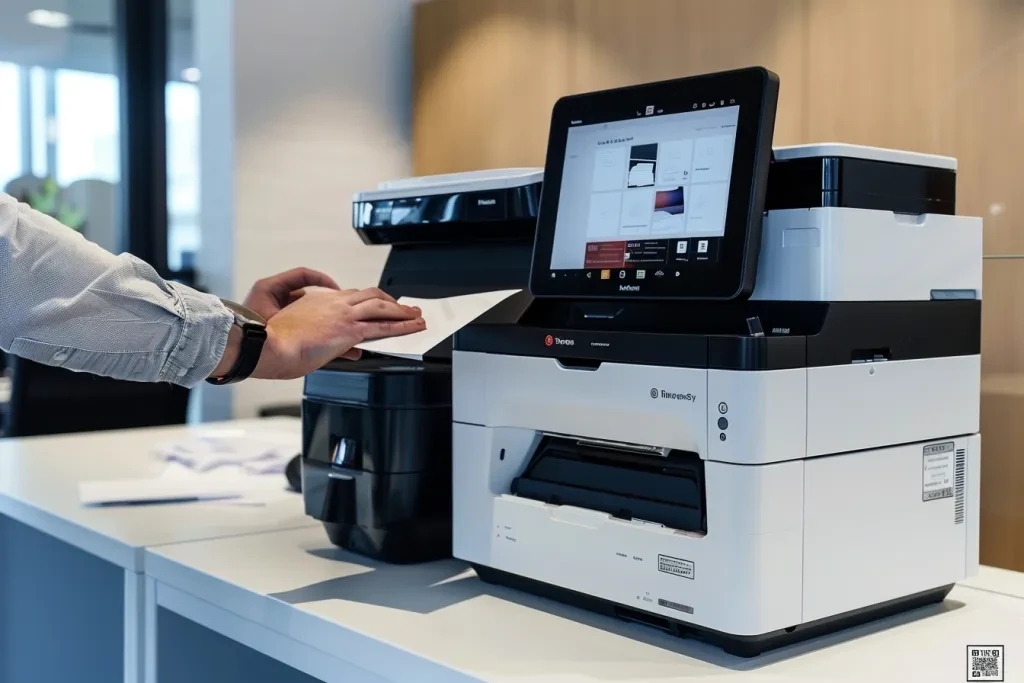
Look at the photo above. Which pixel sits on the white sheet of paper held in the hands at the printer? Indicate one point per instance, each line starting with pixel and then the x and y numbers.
pixel 444 318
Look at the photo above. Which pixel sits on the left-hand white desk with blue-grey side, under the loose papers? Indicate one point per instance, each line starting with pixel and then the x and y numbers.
pixel 72 578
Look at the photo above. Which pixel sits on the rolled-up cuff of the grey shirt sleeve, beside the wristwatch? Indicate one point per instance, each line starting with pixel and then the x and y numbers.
pixel 206 326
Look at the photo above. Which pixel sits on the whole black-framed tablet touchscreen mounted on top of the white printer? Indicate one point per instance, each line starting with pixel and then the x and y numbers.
pixel 657 191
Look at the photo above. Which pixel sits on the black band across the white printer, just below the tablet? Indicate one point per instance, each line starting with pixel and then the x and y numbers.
pixel 796 335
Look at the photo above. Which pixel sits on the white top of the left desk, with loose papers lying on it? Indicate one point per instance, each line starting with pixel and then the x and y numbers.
pixel 39 481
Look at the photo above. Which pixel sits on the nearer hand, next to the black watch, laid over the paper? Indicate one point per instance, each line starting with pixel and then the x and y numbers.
pixel 323 325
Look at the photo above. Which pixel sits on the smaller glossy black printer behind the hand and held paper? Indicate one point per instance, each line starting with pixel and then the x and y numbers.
pixel 377 433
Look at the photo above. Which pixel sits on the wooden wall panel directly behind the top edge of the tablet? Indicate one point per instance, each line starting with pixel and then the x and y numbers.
pixel 619 44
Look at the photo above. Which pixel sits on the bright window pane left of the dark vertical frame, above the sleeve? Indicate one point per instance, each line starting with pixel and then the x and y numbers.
pixel 60 119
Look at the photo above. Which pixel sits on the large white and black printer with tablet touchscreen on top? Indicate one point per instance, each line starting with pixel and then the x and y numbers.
pixel 750 464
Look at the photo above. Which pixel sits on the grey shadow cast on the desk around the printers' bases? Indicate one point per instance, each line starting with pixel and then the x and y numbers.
pixel 428 588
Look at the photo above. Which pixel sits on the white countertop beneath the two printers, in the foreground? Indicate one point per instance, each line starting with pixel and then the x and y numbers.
pixel 439 623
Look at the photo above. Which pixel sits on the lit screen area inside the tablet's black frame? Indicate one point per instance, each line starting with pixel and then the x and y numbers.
pixel 646 198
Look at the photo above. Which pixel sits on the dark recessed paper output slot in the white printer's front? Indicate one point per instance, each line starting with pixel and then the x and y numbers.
pixel 661 489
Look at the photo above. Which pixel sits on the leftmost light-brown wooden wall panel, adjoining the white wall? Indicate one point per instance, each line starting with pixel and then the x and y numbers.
pixel 487 75
